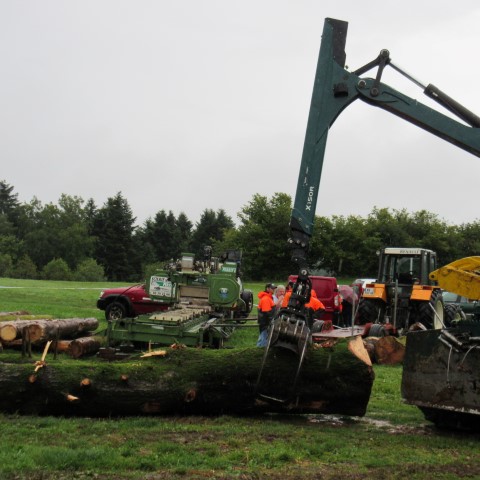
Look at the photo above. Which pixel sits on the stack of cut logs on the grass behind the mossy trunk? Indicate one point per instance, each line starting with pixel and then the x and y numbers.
pixel 71 335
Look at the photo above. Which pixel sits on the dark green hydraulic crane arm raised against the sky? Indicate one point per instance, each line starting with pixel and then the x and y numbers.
pixel 334 89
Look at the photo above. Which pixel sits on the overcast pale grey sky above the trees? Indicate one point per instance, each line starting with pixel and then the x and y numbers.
pixel 187 105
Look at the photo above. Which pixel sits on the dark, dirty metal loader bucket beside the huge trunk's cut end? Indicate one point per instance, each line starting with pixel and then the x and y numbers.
pixel 441 375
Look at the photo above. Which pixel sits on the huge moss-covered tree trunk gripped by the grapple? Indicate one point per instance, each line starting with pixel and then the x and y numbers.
pixel 192 381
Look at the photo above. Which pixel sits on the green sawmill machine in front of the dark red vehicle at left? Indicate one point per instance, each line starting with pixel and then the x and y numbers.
pixel 206 302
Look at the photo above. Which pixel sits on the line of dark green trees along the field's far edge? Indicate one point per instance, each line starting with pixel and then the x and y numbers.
pixel 78 240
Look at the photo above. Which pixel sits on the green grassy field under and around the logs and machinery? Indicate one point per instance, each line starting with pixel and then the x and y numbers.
pixel 392 441
